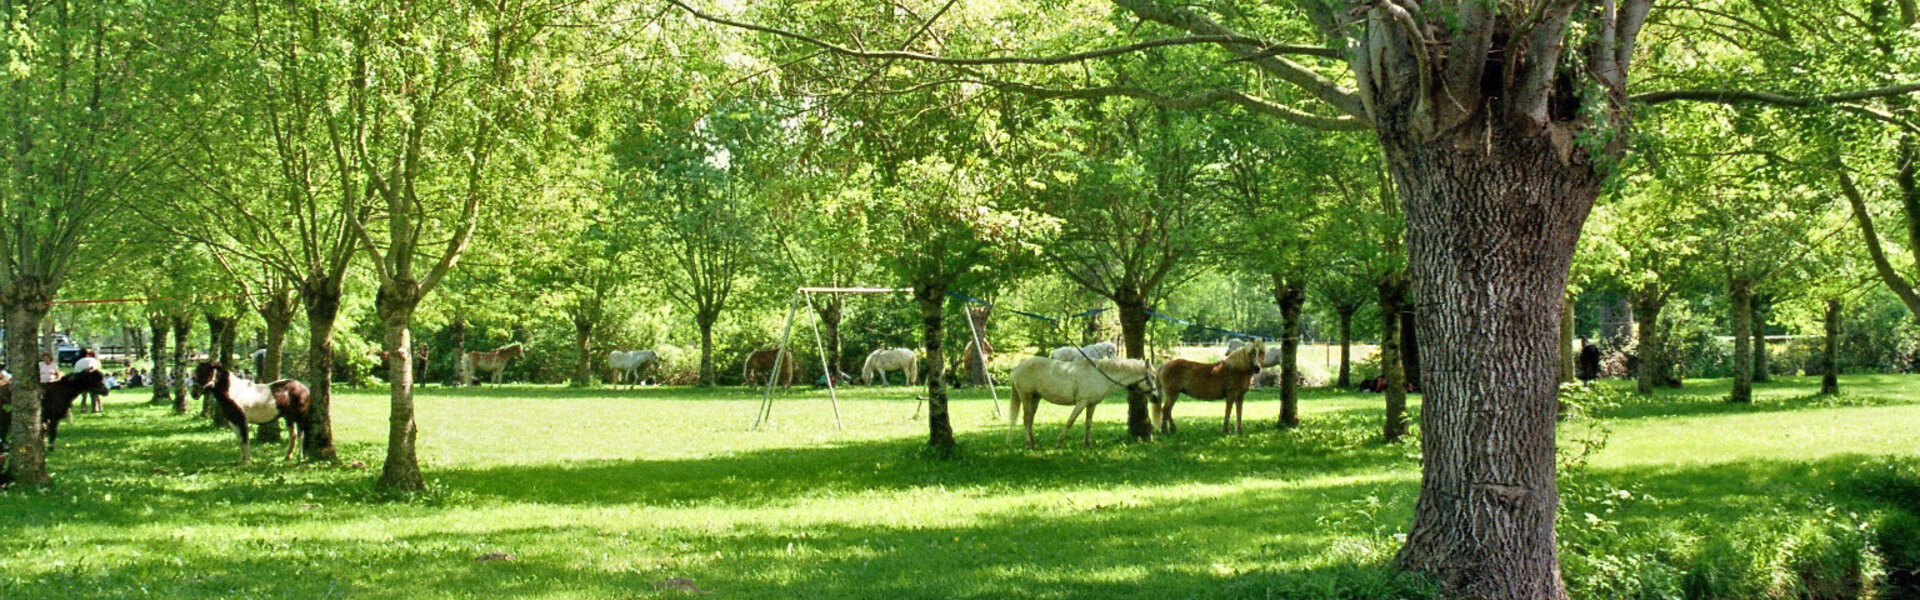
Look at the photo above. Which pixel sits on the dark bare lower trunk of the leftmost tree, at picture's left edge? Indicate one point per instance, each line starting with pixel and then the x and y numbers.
pixel 26 309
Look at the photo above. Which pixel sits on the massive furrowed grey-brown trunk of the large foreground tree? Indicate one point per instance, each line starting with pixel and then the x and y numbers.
pixel 1491 234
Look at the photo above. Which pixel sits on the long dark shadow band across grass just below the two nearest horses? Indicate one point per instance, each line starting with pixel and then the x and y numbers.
pixel 988 464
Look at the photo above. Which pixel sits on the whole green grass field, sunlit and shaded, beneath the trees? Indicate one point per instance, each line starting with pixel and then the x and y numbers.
pixel 615 493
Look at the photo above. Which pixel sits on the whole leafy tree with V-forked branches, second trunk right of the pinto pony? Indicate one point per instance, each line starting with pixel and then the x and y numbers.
pixel 441 111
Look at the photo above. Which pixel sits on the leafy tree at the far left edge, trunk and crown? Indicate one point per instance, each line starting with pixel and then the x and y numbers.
pixel 74 78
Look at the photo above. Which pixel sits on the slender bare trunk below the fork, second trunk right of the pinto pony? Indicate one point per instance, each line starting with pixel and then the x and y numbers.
pixel 402 468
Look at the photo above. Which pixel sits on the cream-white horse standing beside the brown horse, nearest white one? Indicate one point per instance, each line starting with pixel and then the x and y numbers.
pixel 1070 384
